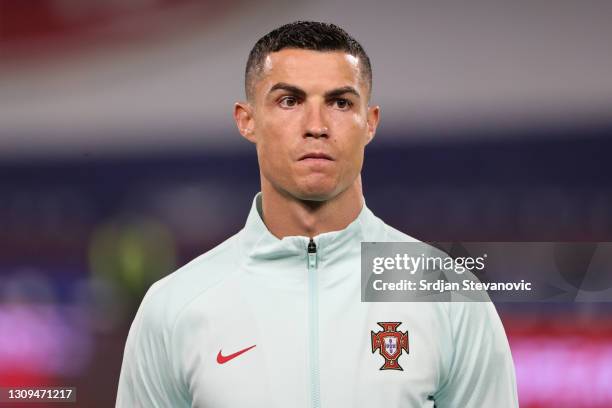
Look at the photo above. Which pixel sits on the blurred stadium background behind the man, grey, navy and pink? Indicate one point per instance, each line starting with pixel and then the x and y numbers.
pixel 119 161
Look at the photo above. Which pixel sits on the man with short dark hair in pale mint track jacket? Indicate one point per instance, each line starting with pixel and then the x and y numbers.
pixel 272 317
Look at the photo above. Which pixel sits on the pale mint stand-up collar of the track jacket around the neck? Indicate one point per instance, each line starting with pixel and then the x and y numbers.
pixel 259 243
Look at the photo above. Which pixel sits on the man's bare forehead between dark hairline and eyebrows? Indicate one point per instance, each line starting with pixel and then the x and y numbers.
pixel 307 68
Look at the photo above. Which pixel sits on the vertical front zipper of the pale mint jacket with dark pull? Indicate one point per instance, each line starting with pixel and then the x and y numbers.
pixel 313 312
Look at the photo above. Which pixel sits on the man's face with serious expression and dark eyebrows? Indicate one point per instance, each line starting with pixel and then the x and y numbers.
pixel 311 122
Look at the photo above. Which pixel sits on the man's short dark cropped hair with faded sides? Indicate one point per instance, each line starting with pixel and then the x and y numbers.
pixel 306 35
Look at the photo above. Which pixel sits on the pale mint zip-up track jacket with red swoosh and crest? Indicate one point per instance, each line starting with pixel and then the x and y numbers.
pixel 265 322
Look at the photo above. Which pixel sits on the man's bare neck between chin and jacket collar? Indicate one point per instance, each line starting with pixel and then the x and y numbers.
pixel 285 215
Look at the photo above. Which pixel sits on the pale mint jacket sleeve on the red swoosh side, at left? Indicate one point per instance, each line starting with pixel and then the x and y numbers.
pixel 146 378
